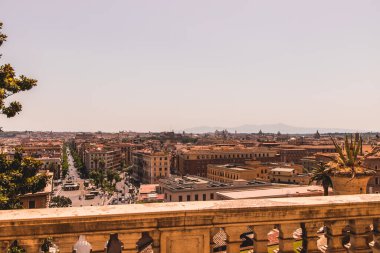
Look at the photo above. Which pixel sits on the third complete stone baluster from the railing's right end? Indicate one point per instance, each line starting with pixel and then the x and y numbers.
pixel 310 237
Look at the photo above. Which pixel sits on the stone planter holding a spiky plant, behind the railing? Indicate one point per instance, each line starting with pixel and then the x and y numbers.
pixel 346 185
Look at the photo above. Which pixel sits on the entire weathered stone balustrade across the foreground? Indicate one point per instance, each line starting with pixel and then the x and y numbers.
pixel 350 224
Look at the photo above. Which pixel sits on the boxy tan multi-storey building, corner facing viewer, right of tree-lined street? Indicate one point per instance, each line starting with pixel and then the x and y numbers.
pixel 150 166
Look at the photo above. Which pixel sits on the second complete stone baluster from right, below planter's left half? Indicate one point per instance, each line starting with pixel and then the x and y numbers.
pixel 334 236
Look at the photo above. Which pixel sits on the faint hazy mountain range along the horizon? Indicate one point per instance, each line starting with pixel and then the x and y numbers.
pixel 270 128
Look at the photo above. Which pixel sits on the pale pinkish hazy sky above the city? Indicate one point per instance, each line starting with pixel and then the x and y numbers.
pixel 162 65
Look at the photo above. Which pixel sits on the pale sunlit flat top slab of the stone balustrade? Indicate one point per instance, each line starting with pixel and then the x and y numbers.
pixel 181 209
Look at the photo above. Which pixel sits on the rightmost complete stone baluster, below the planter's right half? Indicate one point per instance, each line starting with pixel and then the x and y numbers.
pixel 360 235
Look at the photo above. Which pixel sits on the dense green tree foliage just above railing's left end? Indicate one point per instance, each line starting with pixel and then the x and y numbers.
pixel 18 177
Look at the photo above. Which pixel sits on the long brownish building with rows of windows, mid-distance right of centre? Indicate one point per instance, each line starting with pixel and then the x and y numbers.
pixel 194 160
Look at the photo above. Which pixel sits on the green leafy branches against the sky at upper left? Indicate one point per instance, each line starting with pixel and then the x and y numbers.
pixel 11 84
